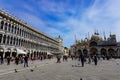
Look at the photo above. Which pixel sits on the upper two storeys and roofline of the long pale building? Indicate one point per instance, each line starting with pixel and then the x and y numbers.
pixel 9 25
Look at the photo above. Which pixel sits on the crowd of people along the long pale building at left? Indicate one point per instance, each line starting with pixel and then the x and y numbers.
pixel 23 59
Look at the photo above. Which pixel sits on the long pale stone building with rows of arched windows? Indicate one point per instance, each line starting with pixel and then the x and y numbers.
pixel 17 36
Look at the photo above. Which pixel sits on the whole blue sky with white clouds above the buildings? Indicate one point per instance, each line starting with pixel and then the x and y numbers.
pixel 68 18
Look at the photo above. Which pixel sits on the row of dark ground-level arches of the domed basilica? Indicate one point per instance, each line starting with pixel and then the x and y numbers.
pixel 105 51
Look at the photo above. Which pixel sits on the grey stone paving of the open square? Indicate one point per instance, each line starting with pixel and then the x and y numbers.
pixel 50 70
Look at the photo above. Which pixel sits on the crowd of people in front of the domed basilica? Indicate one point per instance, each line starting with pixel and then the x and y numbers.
pixel 83 59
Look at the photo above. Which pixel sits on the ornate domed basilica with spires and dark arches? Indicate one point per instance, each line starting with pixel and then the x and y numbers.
pixel 97 45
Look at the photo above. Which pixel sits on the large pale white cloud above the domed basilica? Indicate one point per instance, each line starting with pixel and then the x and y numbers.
pixel 102 17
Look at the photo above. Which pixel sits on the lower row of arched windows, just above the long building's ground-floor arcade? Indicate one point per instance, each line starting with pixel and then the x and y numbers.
pixel 8 40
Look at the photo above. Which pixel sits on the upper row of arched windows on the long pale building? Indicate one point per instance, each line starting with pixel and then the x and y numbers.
pixel 5 26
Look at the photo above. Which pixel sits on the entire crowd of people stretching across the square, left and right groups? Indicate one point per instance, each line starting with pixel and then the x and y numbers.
pixel 81 58
